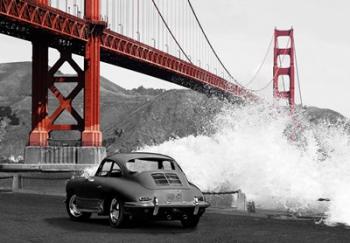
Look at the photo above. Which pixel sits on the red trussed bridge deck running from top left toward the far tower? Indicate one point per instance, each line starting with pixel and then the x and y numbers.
pixel 28 20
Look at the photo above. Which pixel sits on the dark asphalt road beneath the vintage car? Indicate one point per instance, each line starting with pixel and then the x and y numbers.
pixel 38 218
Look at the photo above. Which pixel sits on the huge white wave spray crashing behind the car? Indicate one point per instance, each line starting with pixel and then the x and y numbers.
pixel 249 150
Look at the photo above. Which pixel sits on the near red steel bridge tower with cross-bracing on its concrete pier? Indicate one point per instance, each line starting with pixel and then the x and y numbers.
pixel 87 79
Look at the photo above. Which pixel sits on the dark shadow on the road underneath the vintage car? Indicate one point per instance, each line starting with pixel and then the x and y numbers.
pixel 101 225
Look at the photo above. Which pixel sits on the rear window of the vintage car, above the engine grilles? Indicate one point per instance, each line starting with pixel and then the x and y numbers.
pixel 141 165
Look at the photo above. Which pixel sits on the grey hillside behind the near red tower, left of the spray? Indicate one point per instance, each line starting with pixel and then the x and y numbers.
pixel 129 118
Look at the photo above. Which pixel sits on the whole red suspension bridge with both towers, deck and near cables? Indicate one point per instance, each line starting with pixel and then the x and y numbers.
pixel 159 38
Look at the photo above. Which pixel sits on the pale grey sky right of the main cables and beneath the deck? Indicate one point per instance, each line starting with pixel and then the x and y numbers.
pixel 241 30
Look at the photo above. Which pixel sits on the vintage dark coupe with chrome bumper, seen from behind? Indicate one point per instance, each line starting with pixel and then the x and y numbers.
pixel 127 186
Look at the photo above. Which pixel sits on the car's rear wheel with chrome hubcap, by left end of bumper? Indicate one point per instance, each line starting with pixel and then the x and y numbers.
pixel 116 214
